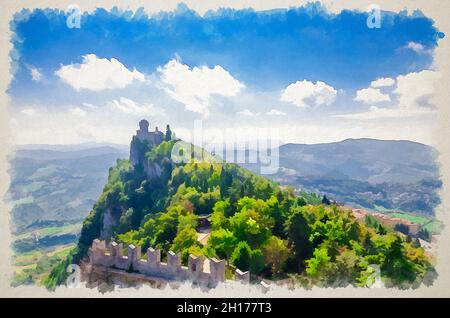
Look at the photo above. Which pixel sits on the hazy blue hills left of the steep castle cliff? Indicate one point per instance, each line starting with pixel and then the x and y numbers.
pixel 57 183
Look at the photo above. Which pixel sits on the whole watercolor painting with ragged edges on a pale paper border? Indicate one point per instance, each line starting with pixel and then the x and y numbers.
pixel 288 147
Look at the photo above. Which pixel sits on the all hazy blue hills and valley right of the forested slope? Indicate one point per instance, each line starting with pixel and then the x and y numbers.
pixel 376 174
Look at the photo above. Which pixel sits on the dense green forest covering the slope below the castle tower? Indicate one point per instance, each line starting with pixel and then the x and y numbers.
pixel 256 225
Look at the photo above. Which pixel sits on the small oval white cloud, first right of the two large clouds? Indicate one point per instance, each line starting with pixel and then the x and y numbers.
pixel 308 94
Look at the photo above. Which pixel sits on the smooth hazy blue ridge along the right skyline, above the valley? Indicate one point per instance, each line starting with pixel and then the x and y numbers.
pixel 374 161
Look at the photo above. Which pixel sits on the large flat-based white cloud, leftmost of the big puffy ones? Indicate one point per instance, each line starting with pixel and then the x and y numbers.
pixel 98 74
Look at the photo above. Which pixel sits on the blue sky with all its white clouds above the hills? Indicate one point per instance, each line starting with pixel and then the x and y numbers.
pixel 311 73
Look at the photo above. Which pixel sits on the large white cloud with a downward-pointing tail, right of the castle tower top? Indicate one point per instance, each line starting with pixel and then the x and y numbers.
pixel 195 87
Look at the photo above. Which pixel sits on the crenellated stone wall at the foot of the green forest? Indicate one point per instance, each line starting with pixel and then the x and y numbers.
pixel 200 270
